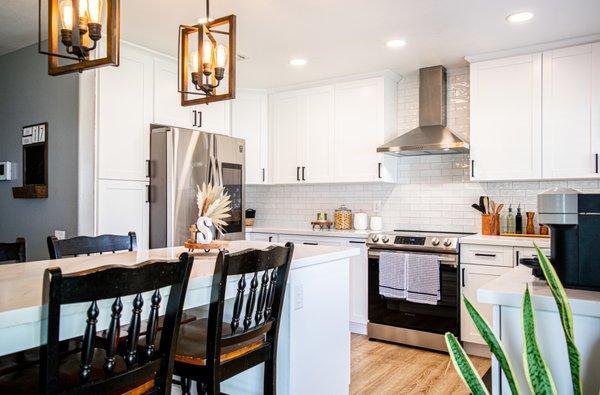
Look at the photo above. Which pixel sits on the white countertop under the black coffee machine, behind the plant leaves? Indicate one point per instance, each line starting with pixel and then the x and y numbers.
pixel 508 290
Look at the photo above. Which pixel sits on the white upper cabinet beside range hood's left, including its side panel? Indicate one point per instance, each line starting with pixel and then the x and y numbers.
pixel 365 118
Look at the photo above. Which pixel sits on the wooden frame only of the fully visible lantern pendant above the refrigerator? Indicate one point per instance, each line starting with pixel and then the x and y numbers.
pixel 208 30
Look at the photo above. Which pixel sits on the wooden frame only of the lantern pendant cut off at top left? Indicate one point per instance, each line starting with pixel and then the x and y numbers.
pixel 54 55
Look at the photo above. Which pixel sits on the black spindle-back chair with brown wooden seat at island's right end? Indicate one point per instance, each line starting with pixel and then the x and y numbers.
pixel 209 350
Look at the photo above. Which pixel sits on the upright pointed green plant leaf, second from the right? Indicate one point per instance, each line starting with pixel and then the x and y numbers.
pixel 536 371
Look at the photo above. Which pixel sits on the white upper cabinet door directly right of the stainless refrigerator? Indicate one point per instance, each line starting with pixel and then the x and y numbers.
pixel 249 122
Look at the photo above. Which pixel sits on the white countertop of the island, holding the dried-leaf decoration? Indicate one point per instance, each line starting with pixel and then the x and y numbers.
pixel 21 283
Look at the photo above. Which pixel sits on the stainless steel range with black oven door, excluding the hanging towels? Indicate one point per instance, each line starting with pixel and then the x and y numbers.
pixel 415 324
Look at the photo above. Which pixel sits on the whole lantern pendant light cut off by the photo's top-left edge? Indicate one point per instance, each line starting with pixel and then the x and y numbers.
pixel 80 31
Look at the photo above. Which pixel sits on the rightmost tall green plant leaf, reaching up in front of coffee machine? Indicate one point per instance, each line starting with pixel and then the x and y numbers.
pixel 566 318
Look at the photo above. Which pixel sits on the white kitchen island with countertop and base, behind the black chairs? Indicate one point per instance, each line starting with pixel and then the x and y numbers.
pixel 314 348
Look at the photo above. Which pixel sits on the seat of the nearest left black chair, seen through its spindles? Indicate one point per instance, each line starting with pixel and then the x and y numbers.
pixel 26 381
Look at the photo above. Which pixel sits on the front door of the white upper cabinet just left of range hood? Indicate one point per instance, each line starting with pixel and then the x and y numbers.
pixel 358 130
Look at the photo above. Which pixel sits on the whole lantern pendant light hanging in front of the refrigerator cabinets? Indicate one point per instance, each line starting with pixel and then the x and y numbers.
pixel 207 55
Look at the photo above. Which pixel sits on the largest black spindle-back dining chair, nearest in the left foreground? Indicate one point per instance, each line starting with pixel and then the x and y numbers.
pixel 138 367
